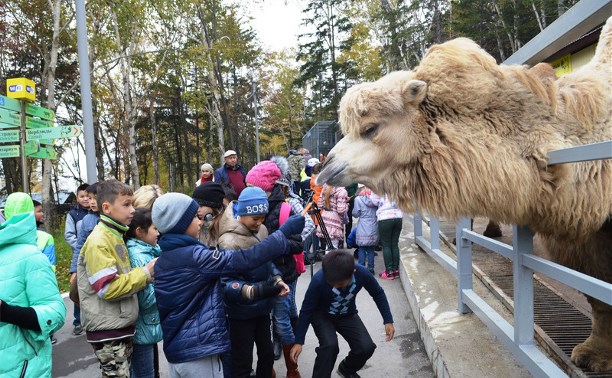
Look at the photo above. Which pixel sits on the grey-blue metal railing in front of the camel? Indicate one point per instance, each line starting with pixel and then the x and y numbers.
pixel 519 339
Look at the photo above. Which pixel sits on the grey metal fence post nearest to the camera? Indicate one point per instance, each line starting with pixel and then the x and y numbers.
pixel 522 244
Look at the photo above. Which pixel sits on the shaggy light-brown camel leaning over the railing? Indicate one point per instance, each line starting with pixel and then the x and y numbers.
pixel 460 135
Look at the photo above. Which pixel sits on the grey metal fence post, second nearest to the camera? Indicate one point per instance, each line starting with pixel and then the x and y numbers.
pixel 464 263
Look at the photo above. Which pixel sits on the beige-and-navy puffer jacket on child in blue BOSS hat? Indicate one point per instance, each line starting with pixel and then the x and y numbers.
pixel 235 235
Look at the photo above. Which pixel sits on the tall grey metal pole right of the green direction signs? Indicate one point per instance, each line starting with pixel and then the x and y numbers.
pixel 88 131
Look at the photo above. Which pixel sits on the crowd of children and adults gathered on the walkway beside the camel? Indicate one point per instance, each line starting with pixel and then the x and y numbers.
pixel 212 274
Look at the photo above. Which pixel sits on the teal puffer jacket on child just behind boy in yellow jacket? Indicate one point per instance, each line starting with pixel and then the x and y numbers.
pixel 148 326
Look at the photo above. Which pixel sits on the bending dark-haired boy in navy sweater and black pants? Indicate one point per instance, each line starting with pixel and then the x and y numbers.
pixel 329 305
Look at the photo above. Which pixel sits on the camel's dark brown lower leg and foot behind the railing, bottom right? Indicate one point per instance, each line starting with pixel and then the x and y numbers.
pixel 595 353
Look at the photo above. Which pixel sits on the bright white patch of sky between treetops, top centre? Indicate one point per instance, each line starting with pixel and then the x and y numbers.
pixel 277 22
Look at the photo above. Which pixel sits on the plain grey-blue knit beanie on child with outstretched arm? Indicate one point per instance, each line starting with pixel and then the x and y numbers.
pixel 172 213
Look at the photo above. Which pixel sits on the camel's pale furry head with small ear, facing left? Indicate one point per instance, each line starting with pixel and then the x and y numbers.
pixel 377 120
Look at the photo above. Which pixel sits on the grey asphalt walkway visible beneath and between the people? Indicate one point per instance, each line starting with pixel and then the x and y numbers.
pixel 404 356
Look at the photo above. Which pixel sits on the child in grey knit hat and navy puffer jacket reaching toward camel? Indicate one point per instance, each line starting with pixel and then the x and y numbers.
pixel 188 288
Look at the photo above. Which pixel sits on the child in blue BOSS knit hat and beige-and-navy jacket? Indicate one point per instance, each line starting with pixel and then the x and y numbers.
pixel 249 295
